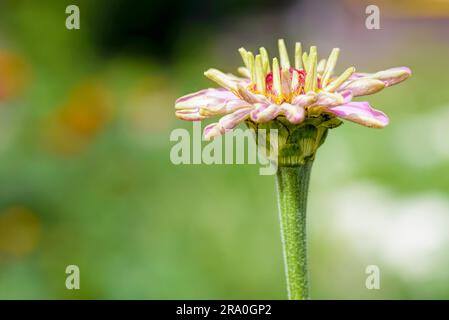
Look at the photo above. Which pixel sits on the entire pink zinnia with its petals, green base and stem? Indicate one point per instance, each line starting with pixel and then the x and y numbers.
pixel 301 102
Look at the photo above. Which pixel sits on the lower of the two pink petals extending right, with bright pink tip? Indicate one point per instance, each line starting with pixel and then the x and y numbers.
pixel 361 113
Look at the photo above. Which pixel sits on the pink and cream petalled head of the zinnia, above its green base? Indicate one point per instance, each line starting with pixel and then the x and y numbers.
pixel 306 89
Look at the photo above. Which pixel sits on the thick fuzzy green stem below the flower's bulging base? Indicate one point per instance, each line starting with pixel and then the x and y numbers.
pixel 292 188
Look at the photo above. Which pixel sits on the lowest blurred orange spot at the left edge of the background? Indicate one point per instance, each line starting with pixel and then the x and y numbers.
pixel 19 231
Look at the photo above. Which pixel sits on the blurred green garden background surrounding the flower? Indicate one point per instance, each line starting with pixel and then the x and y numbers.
pixel 86 178
